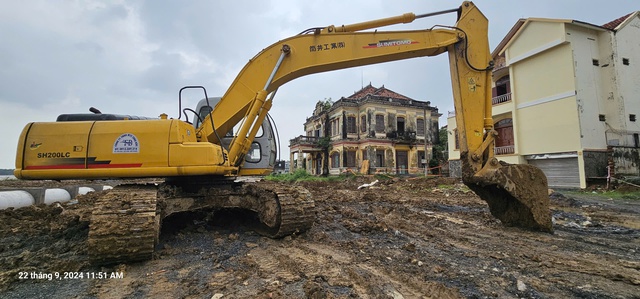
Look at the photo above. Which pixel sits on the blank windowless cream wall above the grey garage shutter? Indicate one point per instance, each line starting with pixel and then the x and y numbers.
pixel 541 94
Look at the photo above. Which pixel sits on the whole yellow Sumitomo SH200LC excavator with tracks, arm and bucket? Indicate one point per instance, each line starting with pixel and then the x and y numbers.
pixel 198 159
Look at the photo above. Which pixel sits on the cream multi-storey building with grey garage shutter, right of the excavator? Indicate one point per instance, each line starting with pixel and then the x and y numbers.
pixel 566 96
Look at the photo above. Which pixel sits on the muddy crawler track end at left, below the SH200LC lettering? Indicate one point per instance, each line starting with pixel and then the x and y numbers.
pixel 125 225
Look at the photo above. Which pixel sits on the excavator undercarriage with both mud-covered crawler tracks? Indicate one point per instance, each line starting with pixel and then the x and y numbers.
pixel 125 225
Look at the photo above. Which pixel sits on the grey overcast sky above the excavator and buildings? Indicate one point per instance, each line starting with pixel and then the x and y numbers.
pixel 132 57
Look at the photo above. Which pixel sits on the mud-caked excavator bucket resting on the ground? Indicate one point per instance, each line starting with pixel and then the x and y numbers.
pixel 517 194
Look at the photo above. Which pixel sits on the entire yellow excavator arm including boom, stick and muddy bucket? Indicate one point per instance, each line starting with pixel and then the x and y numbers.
pixel 516 194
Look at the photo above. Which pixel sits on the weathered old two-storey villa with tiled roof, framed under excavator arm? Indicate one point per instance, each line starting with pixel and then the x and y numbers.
pixel 375 130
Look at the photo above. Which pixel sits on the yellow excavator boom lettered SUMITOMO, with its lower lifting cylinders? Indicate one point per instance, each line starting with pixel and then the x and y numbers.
pixel 323 50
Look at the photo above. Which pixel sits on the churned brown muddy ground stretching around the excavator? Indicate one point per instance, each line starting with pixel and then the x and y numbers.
pixel 404 238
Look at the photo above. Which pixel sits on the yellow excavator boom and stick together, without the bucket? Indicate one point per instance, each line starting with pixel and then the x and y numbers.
pixel 333 48
